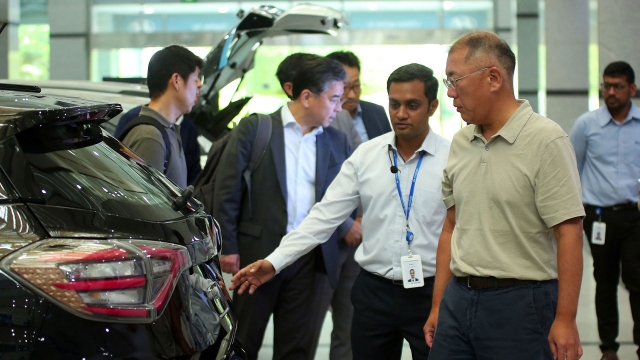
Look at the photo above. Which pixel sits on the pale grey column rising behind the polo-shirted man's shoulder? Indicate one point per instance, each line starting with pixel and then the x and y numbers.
pixel 567 44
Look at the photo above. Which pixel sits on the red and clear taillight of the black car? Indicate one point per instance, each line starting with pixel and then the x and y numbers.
pixel 110 280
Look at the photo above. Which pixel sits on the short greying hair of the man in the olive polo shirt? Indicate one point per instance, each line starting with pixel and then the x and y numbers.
pixel 484 42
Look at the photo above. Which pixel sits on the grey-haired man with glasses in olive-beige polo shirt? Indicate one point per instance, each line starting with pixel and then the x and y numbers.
pixel 513 224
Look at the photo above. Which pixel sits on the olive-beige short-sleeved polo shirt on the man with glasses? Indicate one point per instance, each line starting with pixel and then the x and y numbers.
pixel 509 192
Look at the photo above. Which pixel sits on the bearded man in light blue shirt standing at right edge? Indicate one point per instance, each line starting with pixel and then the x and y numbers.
pixel 607 146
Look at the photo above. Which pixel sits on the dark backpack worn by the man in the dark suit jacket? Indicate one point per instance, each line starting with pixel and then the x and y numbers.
pixel 205 182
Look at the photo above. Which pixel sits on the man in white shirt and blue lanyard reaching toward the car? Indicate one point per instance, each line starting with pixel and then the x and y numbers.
pixel 380 175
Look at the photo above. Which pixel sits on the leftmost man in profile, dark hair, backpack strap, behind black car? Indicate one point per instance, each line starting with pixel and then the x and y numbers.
pixel 173 78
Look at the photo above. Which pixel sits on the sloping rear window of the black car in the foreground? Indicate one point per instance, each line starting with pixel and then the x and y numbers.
pixel 71 166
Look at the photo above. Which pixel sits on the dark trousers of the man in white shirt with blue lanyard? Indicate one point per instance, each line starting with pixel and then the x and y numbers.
pixel 384 314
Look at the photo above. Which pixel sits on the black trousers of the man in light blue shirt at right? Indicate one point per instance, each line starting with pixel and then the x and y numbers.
pixel 619 254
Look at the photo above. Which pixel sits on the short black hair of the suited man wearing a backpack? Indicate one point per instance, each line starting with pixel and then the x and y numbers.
pixel 316 74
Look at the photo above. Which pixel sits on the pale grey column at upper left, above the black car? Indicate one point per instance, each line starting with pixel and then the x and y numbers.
pixel 69 39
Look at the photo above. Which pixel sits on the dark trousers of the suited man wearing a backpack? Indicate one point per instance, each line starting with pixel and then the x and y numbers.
pixel 289 296
